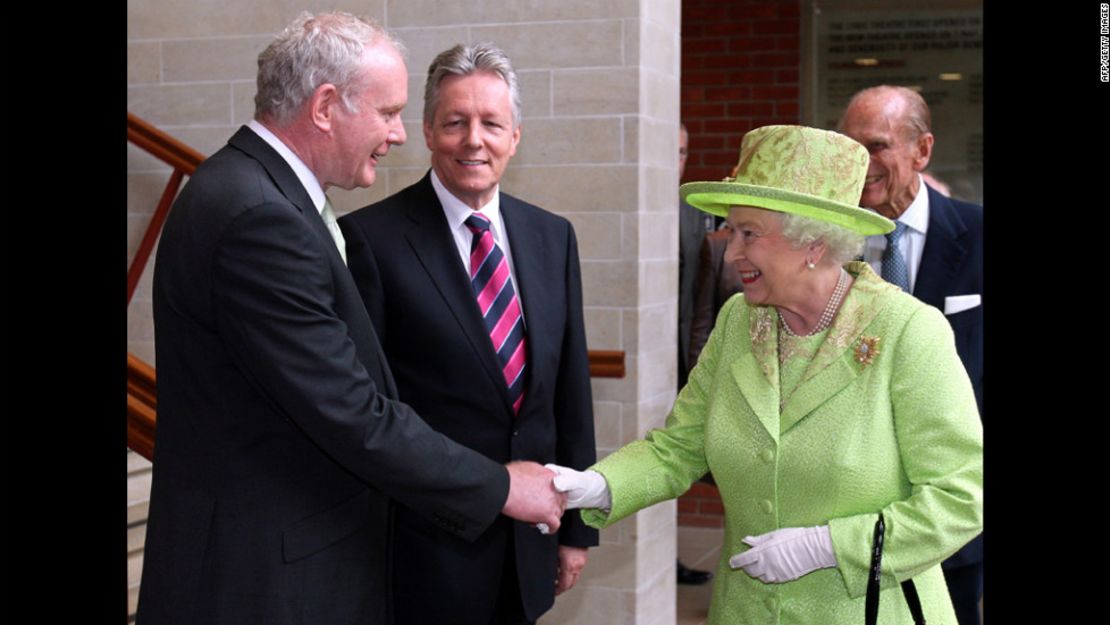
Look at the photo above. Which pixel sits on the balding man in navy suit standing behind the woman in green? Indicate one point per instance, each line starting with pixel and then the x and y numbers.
pixel 935 254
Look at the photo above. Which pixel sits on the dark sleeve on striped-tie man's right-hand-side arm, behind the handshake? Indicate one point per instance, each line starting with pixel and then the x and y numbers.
pixel 574 405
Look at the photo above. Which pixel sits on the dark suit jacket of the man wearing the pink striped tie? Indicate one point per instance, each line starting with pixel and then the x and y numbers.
pixel 419 295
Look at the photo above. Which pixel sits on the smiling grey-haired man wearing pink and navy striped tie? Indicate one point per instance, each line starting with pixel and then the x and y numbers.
pixel 477 297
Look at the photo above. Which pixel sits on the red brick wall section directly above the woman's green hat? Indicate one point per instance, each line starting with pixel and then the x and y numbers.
pixel 741 66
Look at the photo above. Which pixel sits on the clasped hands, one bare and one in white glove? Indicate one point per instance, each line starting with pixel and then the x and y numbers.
pixel 540 495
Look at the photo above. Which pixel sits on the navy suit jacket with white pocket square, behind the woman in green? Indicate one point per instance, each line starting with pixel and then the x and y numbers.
pixel 952 265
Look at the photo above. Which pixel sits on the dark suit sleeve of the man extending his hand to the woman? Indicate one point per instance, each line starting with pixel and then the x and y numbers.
pixel 274 301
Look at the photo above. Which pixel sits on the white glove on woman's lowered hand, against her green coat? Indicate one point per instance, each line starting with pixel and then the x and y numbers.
pixel 786 555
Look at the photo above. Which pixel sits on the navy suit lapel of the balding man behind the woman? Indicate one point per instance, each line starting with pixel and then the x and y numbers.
pixel 944 253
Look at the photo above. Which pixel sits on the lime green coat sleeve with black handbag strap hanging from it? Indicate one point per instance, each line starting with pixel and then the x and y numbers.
pixel 940 441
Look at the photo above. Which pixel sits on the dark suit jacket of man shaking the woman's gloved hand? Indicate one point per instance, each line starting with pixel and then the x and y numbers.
pixel 280 441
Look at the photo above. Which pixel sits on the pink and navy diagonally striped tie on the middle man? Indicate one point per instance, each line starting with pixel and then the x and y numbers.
pixel 499 305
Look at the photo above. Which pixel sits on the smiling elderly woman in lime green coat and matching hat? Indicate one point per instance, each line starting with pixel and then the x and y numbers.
pixel 824 398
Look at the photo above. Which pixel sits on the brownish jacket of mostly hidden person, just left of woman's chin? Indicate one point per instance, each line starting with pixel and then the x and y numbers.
pixel 717 283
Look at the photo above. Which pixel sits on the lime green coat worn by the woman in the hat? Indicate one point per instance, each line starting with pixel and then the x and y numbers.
pixel 883 420
